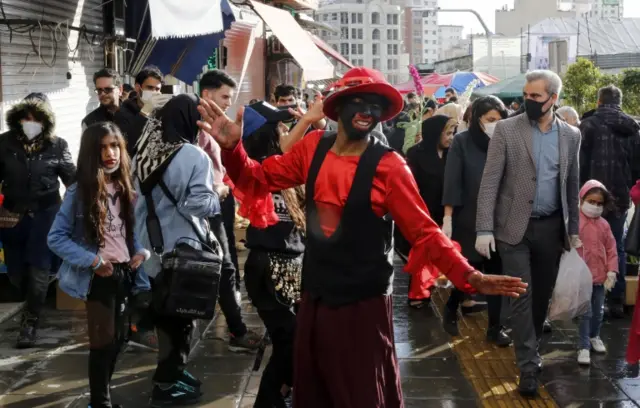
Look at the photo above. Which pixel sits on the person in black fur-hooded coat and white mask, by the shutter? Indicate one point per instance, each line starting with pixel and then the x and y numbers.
pixel 32 163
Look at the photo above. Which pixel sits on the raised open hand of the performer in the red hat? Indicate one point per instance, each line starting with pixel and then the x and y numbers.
pixel 215 122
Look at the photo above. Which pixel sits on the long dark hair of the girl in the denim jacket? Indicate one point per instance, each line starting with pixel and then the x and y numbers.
pixel 92 183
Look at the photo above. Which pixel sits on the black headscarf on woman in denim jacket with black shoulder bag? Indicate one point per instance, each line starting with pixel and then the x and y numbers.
pixel 180 118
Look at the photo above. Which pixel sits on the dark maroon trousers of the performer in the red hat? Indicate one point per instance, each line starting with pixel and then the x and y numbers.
pixel 345 357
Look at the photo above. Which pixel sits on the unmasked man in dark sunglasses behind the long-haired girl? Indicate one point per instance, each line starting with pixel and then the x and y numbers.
pixel 108 87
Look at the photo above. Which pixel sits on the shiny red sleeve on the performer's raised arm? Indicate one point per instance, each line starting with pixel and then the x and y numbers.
pixel 254 182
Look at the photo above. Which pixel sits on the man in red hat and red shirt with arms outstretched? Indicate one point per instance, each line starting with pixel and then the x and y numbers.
pixel 344 353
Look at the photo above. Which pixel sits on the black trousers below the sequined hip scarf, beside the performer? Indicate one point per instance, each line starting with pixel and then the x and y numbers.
pixel 280 321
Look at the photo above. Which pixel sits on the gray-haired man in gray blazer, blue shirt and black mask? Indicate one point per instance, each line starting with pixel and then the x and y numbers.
pixel 528 205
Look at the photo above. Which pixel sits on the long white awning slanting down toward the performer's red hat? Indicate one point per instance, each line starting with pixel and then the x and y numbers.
pixel 297 42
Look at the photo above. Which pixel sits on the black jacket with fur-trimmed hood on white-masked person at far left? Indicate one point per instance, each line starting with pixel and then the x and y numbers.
pixel 31 182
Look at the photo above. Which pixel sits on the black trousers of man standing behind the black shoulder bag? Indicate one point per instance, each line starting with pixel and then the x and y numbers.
pixel 226 295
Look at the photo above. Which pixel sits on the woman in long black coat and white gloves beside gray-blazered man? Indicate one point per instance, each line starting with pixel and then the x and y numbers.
pixel 463 174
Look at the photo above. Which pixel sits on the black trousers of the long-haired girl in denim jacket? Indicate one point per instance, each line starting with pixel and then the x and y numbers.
pixel 107 318
